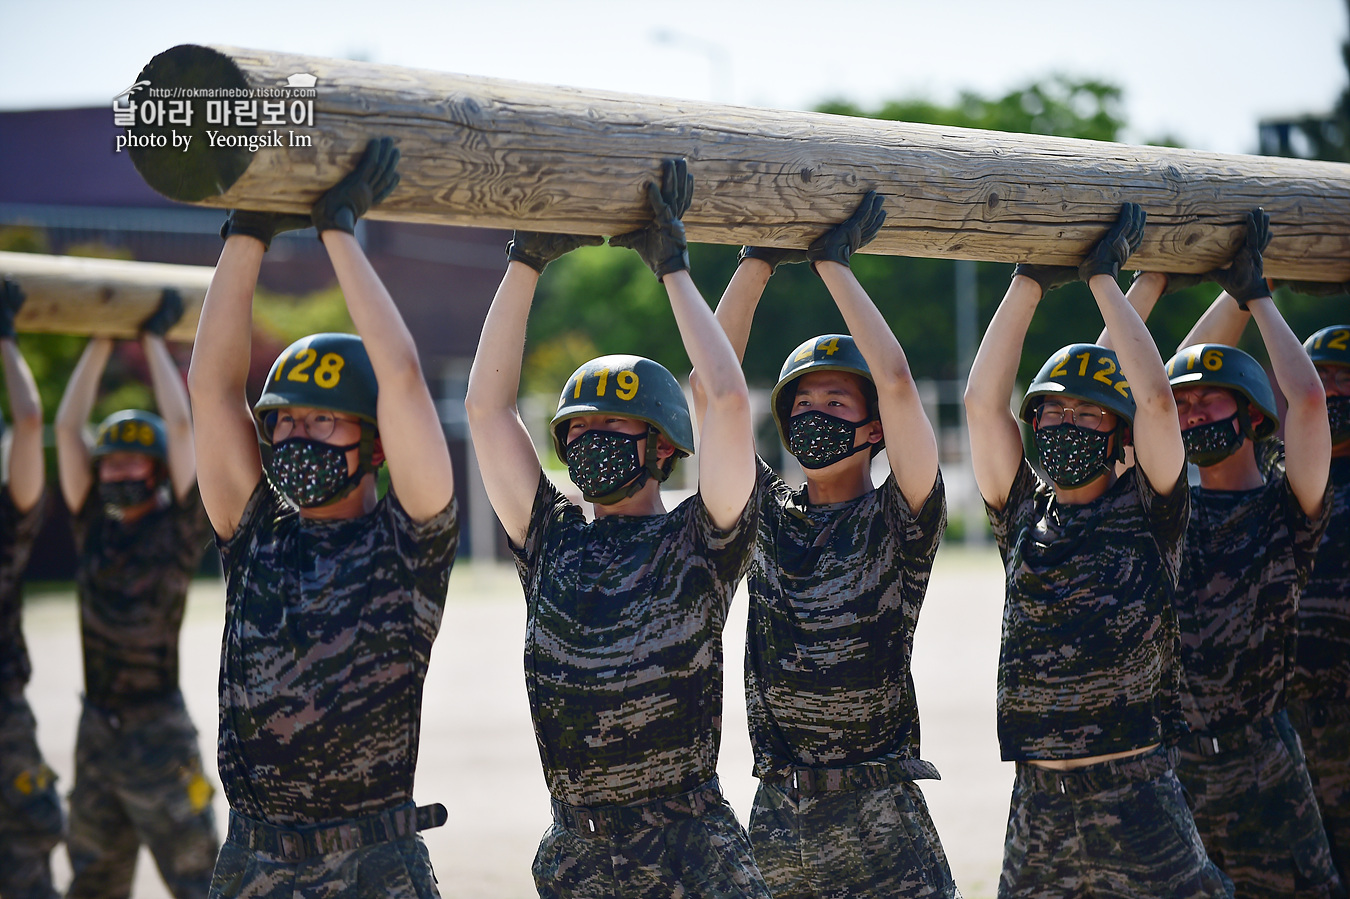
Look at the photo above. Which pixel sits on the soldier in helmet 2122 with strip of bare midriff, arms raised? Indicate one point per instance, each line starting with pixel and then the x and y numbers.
pixel 1089 669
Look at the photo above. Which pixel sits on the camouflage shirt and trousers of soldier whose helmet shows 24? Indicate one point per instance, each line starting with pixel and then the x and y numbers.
pixel 836 593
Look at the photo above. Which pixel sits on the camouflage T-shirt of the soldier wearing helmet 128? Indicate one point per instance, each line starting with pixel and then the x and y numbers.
pixel 329 631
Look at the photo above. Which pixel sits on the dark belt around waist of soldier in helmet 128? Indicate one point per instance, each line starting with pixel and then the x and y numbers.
pixel 310 842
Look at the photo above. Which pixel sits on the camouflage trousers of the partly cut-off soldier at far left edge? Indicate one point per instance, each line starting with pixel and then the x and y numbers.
pixel 30 808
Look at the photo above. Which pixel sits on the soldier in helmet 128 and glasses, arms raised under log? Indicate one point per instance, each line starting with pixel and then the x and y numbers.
pixel 334 595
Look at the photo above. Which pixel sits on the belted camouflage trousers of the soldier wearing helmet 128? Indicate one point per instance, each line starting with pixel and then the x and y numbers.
pixel 376 858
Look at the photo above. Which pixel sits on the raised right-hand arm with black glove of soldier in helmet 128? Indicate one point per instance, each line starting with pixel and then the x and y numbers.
pixel 410 427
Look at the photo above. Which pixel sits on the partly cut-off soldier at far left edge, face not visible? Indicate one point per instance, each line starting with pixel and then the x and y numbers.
pixel 30 809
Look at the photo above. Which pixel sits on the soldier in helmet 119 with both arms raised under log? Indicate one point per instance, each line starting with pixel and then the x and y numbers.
pixel 626 615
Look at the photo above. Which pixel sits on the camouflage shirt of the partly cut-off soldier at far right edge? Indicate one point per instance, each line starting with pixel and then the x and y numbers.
pixel 1324 665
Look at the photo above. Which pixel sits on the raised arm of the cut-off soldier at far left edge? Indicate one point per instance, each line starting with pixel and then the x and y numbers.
pixel 28 469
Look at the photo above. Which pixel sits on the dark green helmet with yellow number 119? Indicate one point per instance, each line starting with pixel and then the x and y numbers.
pixel 631 388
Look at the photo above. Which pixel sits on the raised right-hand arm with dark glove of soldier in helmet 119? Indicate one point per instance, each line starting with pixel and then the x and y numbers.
pixel 727 443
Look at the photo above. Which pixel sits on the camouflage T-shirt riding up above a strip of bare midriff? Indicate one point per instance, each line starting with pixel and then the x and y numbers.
pixel 1090 662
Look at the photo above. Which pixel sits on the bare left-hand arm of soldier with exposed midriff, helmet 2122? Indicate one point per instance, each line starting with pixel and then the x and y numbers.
pixel 996 437
